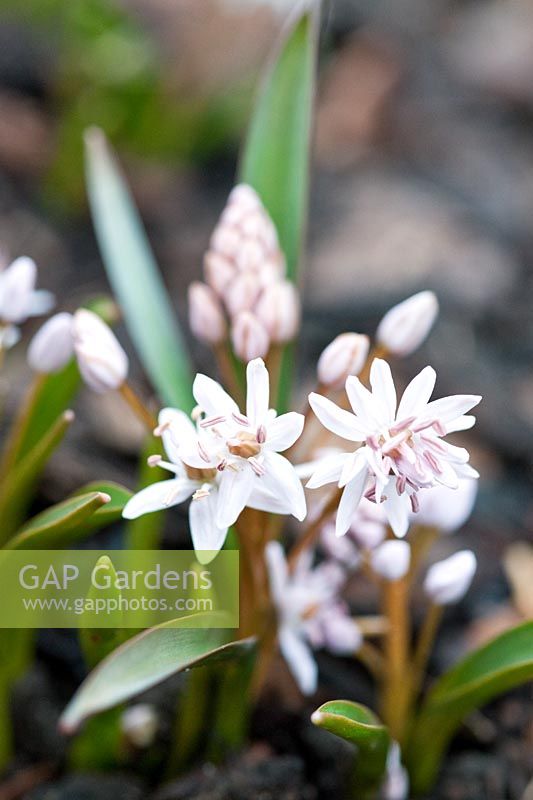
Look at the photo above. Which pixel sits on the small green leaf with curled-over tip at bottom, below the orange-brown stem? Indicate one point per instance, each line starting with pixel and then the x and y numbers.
pixel 359 725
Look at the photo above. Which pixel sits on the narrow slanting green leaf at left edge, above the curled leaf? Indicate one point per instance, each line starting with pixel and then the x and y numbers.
pixel 19 483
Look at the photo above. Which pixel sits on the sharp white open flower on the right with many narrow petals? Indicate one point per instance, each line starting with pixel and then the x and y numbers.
pixel 401 447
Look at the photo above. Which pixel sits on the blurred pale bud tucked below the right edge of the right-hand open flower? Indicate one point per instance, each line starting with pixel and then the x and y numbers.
pixel 444 508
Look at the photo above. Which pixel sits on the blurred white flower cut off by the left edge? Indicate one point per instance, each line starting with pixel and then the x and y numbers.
pixel 19 299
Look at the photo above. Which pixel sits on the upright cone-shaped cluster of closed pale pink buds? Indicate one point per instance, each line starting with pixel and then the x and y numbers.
pixel 246 295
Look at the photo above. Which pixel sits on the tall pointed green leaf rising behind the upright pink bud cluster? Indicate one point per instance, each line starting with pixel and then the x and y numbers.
pixel 276 155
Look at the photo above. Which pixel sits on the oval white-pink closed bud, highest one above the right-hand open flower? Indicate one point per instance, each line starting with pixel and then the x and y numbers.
pixel 405 326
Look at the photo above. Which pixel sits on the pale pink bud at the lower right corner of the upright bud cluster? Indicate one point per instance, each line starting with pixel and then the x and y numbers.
pixel 278 309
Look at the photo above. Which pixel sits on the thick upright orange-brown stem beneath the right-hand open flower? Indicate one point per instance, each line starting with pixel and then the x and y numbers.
pixel 396 679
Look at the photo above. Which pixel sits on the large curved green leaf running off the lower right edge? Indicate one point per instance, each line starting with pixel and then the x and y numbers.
pixel 501 665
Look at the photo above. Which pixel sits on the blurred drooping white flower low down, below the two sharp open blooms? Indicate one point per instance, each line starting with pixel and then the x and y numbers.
pixel 310 615
